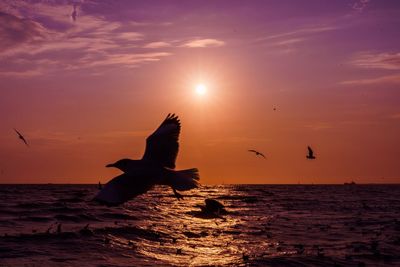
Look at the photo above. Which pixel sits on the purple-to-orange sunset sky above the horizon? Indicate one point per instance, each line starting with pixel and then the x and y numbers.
pixel 87 81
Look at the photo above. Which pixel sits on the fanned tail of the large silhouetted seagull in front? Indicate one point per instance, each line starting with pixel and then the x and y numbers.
pixel 184 179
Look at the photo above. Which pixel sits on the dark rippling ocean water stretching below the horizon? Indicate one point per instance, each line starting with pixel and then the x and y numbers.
pixel 265 225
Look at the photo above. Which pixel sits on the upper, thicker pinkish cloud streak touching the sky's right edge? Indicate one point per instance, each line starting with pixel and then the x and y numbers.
pixel 388 61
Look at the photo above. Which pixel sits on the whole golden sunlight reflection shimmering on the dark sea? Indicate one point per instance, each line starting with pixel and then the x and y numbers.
pixel 197 239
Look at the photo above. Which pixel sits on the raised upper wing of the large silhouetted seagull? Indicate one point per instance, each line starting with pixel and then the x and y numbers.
pixel 162 146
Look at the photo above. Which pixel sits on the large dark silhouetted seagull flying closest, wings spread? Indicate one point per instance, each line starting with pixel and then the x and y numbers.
pixel 155 168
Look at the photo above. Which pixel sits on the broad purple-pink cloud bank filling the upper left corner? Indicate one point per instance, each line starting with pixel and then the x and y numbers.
pixel 28 37
